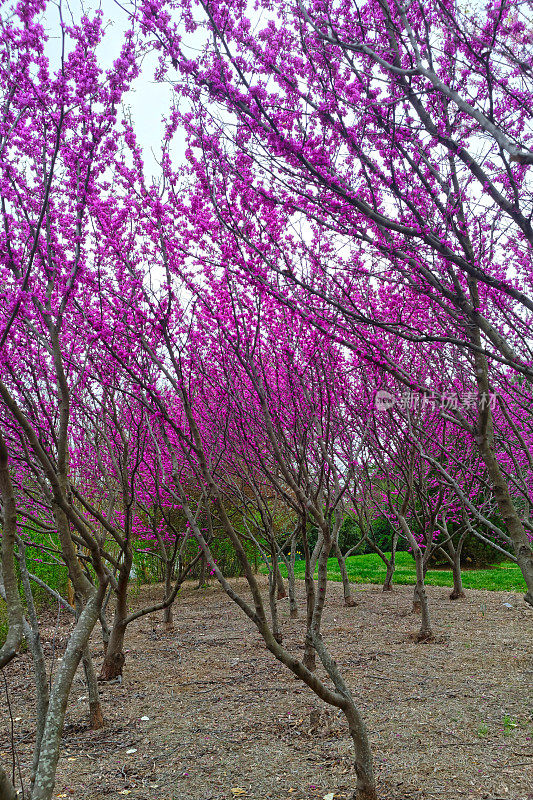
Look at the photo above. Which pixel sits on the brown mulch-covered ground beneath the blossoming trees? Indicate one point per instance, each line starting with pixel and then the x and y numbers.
pixel 447 720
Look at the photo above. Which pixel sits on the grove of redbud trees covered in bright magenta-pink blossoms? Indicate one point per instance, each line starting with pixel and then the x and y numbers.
pixel 323 314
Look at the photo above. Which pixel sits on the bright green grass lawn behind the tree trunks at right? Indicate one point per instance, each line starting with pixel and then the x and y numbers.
pixel 370 568
